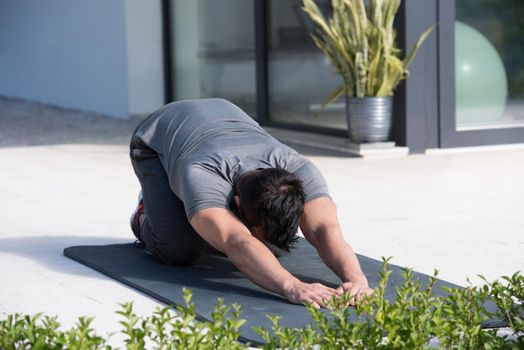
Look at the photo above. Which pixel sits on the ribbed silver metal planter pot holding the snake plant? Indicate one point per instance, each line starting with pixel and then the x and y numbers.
pixel 369 118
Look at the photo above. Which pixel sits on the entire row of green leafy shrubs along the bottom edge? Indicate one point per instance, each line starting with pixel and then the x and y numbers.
pixel 410 321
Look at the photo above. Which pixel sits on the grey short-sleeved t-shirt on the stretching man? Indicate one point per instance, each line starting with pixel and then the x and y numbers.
pixel 205 145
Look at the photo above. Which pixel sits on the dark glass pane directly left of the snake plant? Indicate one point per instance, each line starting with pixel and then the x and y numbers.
pixel 300 77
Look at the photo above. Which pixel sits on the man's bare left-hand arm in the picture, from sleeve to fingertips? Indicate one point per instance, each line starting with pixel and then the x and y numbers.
pixel 220 228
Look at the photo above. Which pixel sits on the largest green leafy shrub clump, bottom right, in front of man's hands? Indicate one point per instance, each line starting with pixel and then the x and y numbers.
pixel 412 319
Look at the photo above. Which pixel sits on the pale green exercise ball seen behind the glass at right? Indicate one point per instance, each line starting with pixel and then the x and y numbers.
pixel 480 78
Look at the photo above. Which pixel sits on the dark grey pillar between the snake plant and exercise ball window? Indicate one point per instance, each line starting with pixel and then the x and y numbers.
pixel 415 118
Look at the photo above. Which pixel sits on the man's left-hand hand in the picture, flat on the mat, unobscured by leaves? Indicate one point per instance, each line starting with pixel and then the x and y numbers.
pixel 315 294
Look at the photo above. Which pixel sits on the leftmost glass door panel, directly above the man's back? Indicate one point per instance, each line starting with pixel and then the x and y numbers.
pixel 214 50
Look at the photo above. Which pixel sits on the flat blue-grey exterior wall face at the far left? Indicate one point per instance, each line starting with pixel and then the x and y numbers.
pixel 67 53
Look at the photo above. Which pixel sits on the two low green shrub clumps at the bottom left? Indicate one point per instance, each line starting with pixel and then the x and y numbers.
pixel 162 330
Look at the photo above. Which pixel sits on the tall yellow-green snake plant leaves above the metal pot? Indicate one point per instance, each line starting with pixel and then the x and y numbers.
pixel 360 42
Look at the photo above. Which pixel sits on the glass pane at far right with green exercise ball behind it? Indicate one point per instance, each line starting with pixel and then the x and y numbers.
pixel 489 69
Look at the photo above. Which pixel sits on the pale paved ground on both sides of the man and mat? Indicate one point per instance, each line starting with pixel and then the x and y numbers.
pixel 460 213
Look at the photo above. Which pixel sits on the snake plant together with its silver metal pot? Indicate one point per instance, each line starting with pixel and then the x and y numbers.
pixel 361 44
